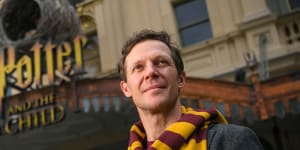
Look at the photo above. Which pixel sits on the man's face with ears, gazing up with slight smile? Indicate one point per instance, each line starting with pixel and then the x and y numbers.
pixel 152 79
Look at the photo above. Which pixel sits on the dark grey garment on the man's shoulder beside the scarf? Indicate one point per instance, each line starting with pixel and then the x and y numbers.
pixel 232 137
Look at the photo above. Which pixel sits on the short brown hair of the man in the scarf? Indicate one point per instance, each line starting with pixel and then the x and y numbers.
pixel 144 35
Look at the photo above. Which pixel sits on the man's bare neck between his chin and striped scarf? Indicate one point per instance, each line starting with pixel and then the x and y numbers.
pixel 155 123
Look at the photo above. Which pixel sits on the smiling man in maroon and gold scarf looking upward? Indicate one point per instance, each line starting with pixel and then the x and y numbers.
pixel 152 74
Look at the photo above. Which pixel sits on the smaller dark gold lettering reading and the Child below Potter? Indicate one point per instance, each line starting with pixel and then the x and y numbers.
pixel 33 114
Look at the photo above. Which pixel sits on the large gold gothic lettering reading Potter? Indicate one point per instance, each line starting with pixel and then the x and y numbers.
pixel 22 71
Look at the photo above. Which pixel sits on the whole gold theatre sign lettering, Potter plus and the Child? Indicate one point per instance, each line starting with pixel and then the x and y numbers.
pixel 27 70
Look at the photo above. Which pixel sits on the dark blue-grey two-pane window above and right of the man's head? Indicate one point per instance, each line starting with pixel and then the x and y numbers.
pixel 193 22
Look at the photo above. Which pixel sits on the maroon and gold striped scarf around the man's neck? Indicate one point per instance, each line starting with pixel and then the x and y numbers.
pixel 188 133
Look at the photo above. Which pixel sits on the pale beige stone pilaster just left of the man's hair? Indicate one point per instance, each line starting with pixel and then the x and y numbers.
pixel 110 30
